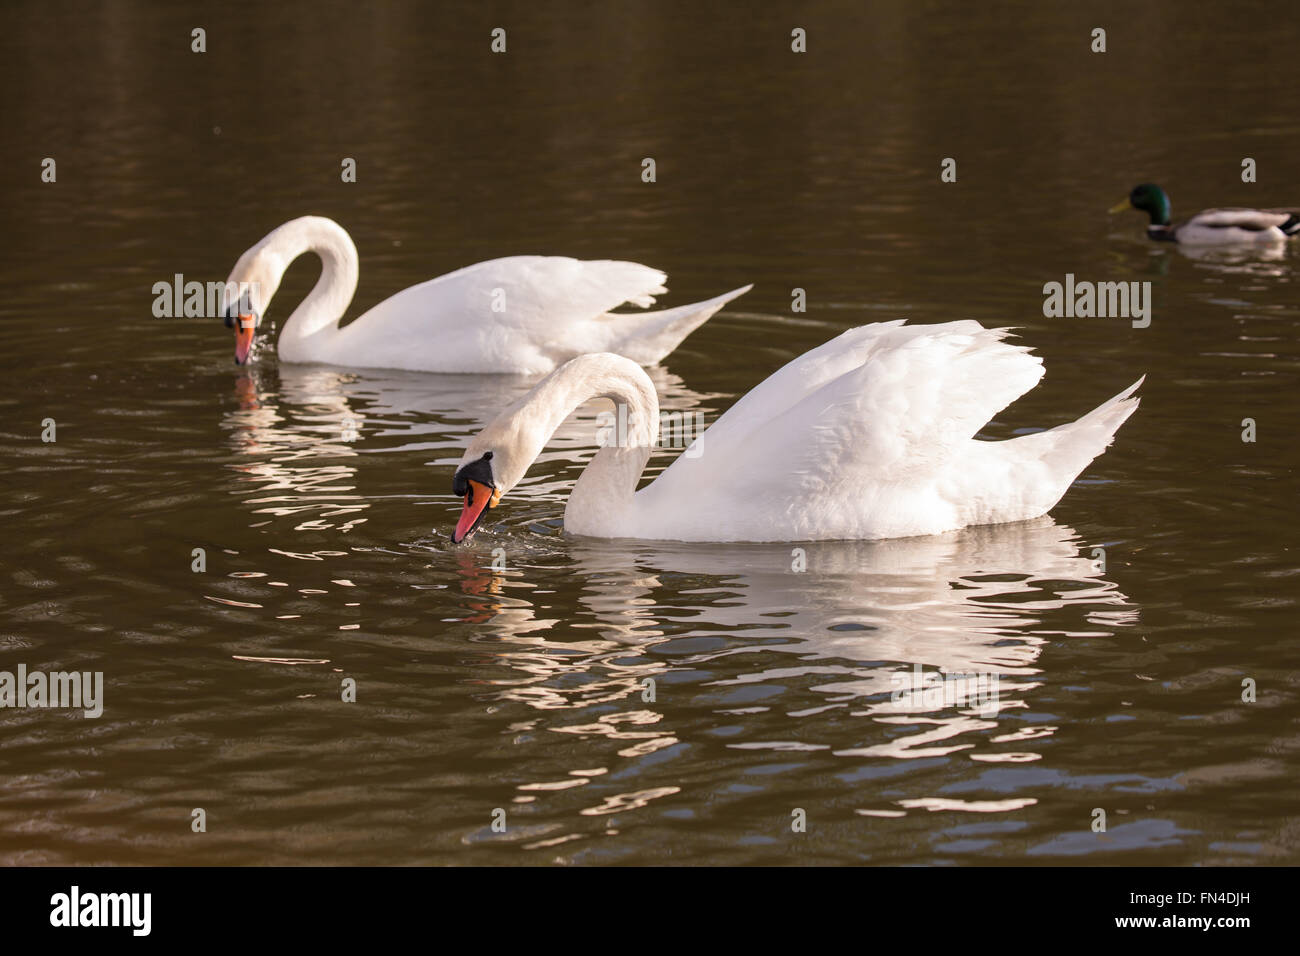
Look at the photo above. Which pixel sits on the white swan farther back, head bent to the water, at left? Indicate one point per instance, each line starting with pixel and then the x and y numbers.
pixel 522 314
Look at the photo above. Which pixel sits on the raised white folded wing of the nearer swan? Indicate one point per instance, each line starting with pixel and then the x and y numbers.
pixel 866 430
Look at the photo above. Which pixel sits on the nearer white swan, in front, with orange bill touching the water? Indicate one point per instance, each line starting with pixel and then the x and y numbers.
pixel 869 436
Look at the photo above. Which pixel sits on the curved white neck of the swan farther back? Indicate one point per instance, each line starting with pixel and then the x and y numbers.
pixel 305 338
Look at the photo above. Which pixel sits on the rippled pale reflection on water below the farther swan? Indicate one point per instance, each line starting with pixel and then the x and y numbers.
pixel 300 432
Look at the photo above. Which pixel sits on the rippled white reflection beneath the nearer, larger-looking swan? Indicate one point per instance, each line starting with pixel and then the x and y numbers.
pixel 934 642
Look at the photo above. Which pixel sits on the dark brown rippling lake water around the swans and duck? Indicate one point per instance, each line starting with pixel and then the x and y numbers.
pixel 1120 672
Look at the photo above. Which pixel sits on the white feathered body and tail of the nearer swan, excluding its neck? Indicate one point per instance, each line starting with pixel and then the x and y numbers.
pixel 873 435
